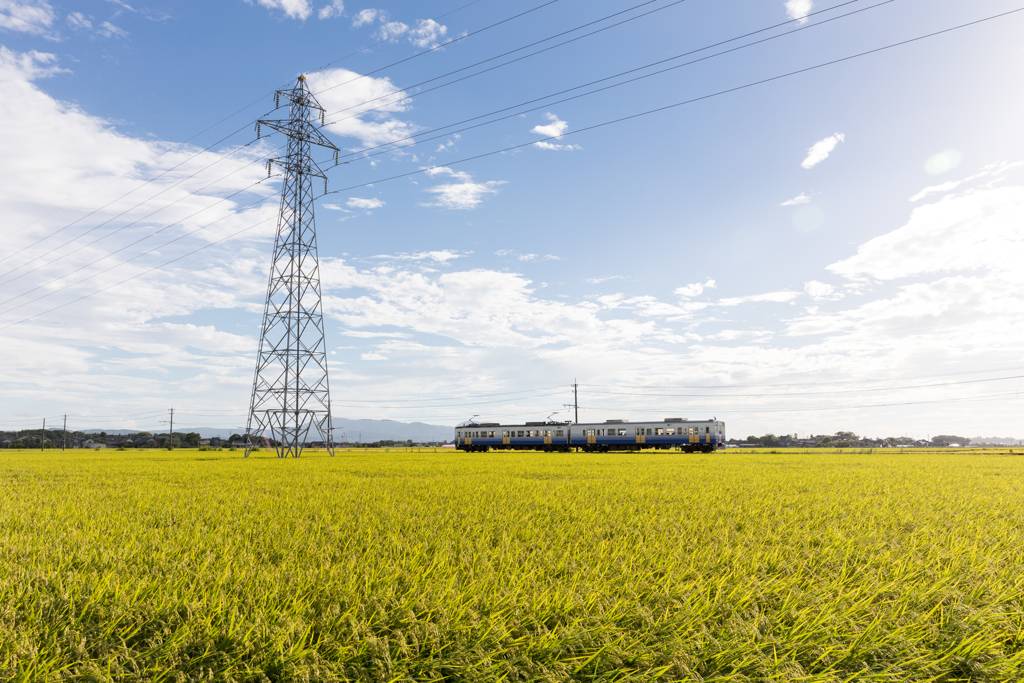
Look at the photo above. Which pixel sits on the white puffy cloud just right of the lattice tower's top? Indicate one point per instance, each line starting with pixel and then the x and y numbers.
pixel 343 93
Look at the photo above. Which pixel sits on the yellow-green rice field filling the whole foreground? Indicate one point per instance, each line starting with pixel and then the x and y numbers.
pixel 423 566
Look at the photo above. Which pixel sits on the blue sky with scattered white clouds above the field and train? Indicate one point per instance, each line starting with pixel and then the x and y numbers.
pixel 838 249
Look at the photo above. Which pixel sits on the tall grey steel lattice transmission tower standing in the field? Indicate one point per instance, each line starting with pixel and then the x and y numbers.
pixel 290 390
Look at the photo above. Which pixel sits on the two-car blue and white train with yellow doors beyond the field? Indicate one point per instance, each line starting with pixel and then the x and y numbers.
pixel 689 436
